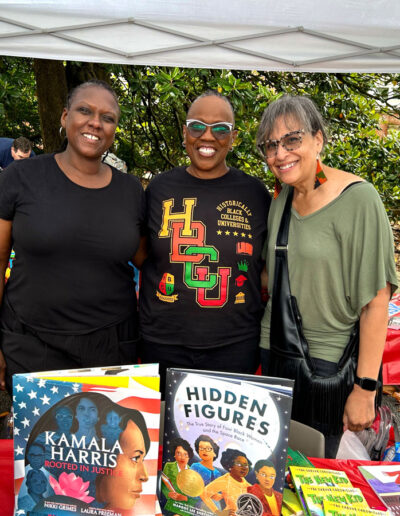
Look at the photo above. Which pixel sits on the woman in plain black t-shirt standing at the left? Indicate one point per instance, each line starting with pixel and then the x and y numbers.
pixel 75 223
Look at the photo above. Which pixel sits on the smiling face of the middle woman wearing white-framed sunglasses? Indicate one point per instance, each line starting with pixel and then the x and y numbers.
pixel 207 154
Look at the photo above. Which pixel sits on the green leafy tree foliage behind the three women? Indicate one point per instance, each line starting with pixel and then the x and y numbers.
pixel 154 102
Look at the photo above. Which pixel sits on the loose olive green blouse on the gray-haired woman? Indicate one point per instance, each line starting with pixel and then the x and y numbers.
pixel 338 258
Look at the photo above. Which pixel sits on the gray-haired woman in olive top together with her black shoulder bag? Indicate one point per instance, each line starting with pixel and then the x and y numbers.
pixel 341 274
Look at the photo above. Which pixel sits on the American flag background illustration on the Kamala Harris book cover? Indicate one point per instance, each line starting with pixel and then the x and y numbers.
pixel 33 397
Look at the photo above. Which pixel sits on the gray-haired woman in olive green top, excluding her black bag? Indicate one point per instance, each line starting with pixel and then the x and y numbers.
pixel 340 254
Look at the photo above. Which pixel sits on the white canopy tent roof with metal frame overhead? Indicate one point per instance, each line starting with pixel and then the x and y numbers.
pixel 291 35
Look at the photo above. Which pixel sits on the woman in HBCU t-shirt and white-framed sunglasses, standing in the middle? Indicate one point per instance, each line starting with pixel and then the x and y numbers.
pixel 200 302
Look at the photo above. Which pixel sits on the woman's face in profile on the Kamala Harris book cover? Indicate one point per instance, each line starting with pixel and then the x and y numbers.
pixel 122 489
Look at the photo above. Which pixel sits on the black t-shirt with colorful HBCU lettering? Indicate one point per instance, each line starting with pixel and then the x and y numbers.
pixel 201 282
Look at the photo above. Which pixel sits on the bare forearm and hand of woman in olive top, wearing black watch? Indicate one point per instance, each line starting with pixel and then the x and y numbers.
pixel 359 411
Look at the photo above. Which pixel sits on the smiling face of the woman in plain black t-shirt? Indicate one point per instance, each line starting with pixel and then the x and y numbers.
pixel 90 122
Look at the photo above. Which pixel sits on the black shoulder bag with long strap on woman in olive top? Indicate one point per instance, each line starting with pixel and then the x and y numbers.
pixel 317 401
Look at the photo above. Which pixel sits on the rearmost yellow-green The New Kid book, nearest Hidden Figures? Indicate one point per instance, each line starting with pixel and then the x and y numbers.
pixel 301 476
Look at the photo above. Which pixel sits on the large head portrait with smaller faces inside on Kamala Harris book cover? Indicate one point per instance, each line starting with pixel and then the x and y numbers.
pixel 85 467
